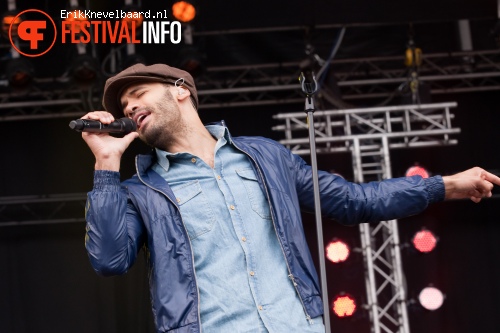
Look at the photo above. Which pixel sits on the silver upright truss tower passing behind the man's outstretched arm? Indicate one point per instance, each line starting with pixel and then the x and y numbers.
pixel 384 280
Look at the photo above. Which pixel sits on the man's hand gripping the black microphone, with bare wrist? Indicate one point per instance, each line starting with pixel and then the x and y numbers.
pixel 107 149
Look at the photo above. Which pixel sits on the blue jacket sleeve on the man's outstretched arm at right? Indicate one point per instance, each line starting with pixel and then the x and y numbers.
pixel 350 203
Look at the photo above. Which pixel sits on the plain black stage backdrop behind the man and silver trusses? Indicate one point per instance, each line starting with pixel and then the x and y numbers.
pixel 48 286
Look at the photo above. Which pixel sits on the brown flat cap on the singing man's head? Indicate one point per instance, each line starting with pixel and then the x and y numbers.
pixel 141 73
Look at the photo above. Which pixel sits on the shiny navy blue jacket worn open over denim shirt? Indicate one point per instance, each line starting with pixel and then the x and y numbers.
pixel 122 218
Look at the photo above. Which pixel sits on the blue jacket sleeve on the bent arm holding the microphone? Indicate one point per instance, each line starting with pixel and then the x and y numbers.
pixel 114 231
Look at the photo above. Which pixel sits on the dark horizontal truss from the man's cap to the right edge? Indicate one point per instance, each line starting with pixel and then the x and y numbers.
pixel 357 78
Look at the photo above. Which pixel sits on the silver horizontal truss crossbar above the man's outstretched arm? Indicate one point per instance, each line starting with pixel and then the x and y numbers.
pixel 404 126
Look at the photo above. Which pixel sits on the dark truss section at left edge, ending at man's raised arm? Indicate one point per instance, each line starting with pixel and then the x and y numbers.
pixel 42 209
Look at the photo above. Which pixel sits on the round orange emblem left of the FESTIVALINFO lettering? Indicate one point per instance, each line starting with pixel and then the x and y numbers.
pixel 34 31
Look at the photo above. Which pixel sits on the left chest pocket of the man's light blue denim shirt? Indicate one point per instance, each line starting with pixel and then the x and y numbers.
pixel 196 211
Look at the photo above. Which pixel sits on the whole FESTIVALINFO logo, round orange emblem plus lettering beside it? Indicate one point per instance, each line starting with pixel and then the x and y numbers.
pixel 40 31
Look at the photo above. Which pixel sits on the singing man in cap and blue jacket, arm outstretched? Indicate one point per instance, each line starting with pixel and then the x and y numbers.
pixel 220 215
